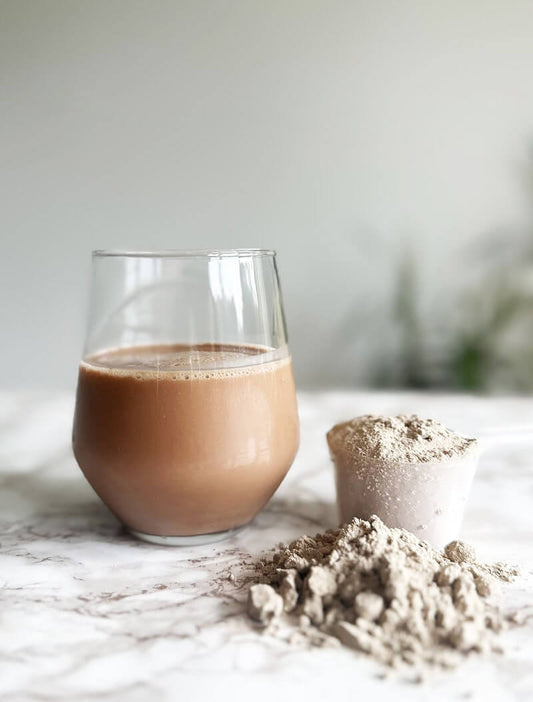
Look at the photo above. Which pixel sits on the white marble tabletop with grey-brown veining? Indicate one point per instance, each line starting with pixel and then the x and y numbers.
pixel 87 613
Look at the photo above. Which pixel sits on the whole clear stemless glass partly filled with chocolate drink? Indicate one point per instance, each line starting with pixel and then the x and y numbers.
pixel 186 419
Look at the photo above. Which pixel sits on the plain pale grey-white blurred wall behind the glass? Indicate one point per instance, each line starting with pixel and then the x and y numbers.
pixel 332 131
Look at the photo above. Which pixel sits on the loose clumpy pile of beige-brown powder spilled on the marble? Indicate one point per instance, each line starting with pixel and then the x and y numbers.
pixel 383 592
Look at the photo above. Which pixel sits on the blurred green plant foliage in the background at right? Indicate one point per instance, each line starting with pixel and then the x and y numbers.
pixel 486 342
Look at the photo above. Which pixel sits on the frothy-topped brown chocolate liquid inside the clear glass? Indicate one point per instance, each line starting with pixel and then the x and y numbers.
pixel 179 440
